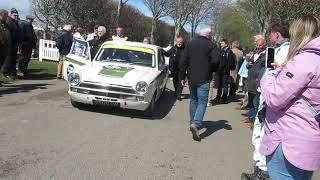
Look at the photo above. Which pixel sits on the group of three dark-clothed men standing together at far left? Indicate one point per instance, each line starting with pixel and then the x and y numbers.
pixel 17 40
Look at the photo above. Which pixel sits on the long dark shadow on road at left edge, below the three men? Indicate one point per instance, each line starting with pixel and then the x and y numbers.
pixel 18 88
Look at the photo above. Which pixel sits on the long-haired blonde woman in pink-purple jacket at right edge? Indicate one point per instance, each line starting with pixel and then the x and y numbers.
pixel 292 134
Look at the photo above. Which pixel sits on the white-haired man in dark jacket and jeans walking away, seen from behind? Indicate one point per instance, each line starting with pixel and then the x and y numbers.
pixel 197 63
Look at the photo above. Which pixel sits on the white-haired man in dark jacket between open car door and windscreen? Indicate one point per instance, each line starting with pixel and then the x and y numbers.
pixel 96 43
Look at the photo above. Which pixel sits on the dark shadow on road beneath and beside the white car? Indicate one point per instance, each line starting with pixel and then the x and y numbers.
pixel 162 109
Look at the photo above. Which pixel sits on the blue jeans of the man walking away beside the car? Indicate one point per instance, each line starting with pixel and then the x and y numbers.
pixel 198 102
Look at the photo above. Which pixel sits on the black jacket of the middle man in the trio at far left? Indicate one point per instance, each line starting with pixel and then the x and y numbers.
pixel 15 32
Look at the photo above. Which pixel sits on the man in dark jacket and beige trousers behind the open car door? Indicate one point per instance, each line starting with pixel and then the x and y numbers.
pixel 64 43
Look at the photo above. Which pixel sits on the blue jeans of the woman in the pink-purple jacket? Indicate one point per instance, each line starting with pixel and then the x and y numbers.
pixel 280 168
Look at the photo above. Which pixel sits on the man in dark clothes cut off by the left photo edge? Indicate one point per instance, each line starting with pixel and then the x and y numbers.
pixel 5 40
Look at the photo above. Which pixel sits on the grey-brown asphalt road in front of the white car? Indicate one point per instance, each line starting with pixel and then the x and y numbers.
pixel 43 137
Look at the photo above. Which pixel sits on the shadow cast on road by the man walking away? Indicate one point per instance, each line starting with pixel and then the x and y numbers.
pixel 213 126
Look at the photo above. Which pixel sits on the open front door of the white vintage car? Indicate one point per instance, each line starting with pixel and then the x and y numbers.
pixel 78 57
